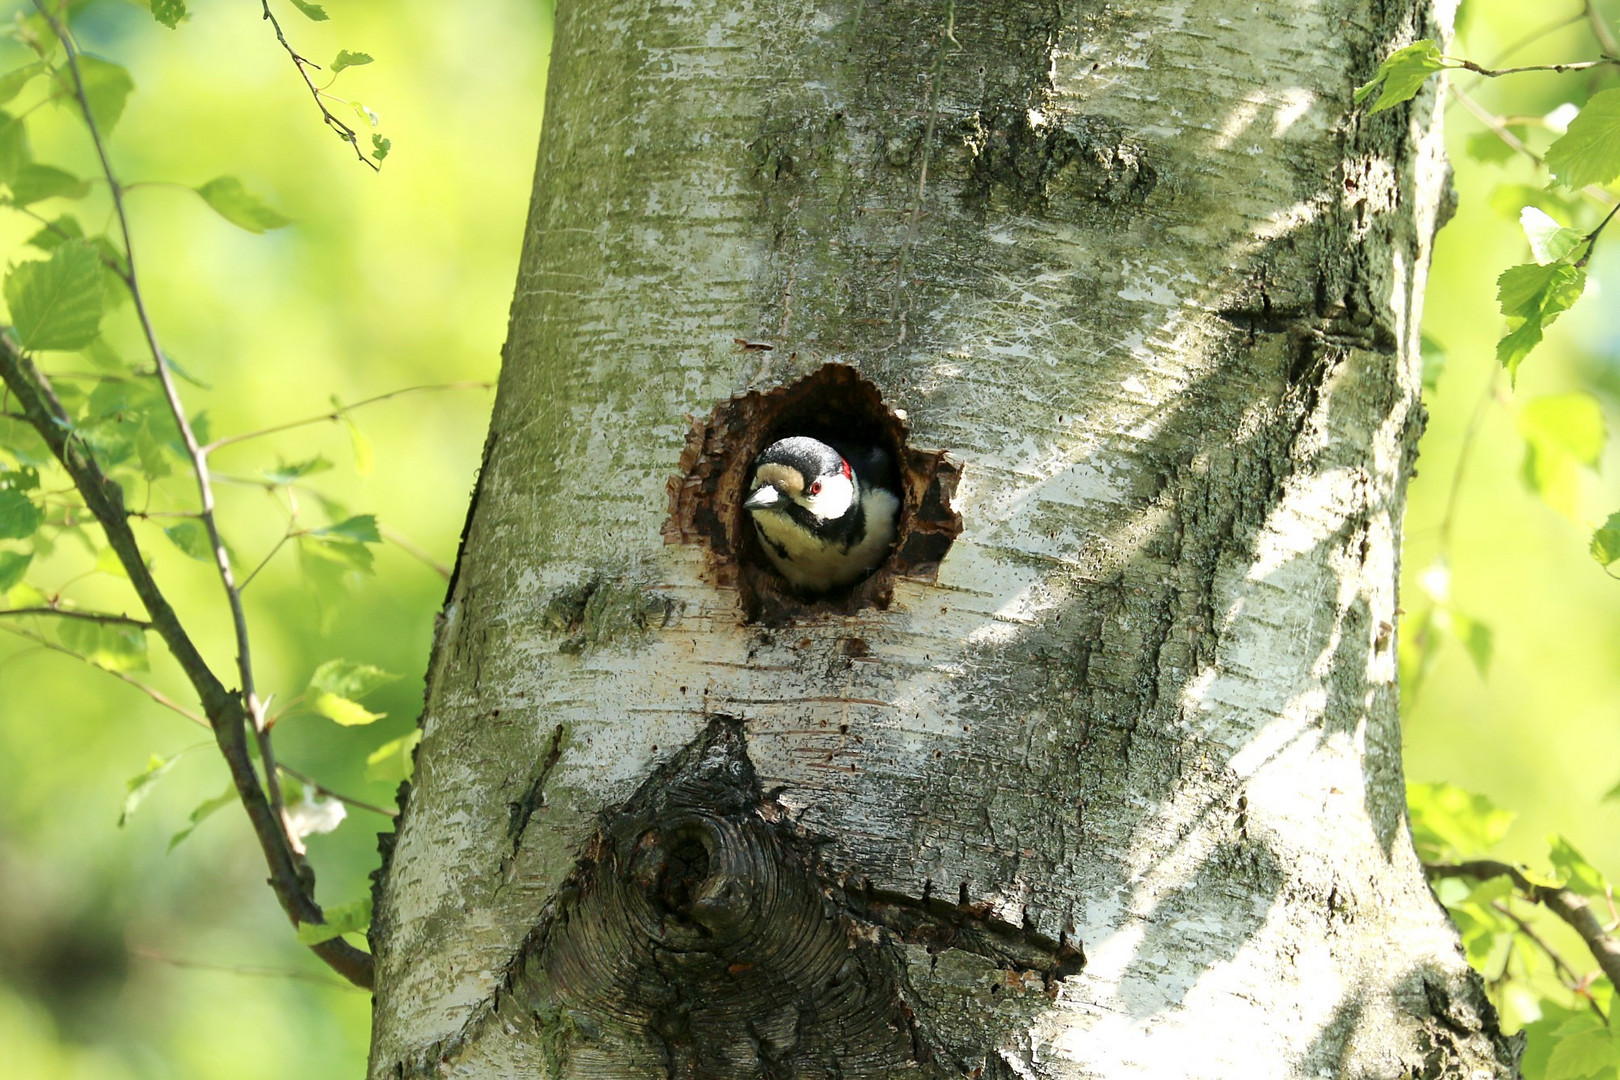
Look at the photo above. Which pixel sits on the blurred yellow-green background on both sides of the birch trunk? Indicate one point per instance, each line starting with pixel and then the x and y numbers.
pixel 404 279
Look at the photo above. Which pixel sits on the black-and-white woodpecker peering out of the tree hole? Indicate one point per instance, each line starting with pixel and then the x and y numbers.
pixel 822 522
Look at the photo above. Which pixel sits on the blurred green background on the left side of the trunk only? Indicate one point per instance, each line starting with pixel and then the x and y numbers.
pixel 386 281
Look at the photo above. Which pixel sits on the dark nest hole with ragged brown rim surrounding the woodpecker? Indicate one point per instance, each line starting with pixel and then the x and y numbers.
pixel 833 402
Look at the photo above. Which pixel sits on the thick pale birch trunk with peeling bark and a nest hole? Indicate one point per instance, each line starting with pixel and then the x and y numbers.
pixel 1107 788
